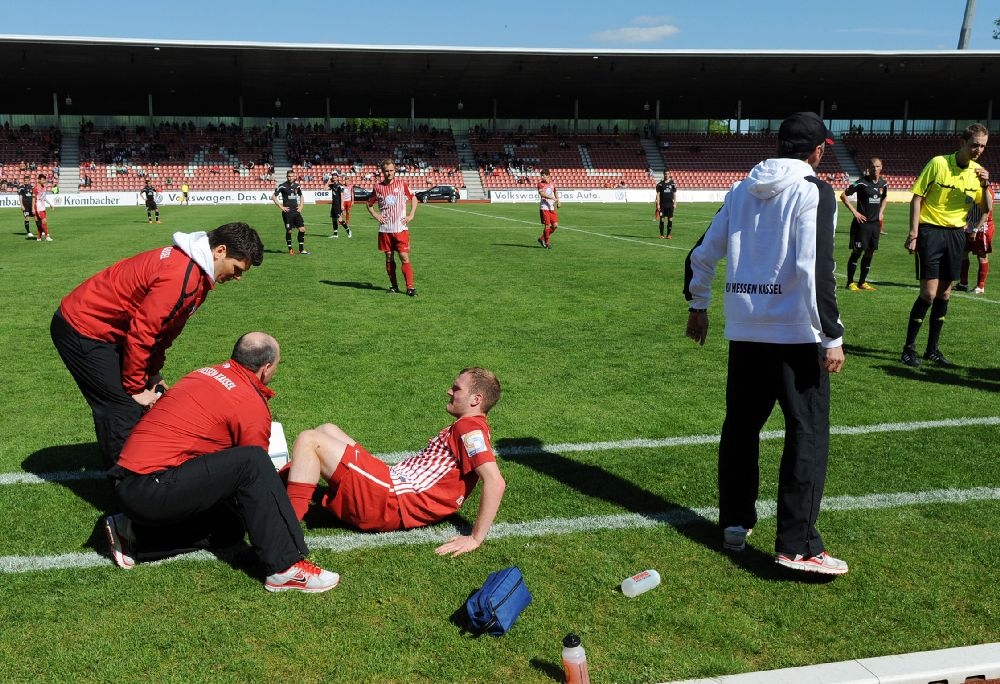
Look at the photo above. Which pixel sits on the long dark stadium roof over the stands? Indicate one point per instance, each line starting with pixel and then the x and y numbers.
pixel 198 78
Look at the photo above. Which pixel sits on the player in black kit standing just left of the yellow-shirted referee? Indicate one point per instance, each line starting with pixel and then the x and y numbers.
pixel 871 190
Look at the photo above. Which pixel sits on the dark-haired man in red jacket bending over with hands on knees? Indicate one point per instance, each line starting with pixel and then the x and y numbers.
pixel 113 330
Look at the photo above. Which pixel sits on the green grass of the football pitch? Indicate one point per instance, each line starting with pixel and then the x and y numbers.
pixel 588 342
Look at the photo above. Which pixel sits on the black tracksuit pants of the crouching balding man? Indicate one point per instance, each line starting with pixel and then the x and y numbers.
pixel 207 502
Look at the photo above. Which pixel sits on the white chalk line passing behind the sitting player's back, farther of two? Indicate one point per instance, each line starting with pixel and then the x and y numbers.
pixel 577 447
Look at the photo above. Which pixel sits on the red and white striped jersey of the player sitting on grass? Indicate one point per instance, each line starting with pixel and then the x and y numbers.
pixel 434 483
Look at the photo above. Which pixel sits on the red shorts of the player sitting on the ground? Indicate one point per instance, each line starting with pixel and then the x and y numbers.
pixel 361 493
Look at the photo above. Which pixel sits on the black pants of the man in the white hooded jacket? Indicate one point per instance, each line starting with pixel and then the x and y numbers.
pixel 792 375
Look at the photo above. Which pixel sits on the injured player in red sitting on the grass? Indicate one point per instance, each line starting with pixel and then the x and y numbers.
pixel 424 489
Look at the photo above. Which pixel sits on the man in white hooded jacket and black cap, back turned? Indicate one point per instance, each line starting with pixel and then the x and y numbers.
pixel 775 231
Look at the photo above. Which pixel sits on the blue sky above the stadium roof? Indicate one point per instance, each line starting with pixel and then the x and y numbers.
pixel 584 24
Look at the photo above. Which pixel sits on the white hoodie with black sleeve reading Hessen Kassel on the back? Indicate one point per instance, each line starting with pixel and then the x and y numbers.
pixel 775 230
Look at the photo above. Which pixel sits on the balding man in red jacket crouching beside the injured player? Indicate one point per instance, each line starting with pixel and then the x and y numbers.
pixel 195 474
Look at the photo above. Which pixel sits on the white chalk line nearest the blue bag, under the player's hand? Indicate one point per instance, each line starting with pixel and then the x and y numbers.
pixel 351 541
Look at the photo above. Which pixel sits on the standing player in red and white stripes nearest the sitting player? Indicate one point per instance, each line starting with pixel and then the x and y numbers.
pixel 392 194
